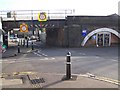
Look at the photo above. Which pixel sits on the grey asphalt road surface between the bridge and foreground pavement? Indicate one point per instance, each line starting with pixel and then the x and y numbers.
pixel 102 61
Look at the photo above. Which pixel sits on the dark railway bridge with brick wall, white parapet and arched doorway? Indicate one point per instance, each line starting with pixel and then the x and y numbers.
pixel 64 29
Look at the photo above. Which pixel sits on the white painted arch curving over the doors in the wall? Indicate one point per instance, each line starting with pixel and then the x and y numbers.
pixel 98 31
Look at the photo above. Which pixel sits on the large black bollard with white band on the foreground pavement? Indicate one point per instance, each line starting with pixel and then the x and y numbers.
pixel 68 66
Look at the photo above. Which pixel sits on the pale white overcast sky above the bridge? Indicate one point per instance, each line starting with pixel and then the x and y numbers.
pixel 82 7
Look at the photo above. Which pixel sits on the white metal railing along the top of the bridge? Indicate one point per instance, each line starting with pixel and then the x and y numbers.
pixel 28 14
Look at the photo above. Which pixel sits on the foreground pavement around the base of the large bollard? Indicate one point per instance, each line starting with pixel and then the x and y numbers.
pixel 48 80
